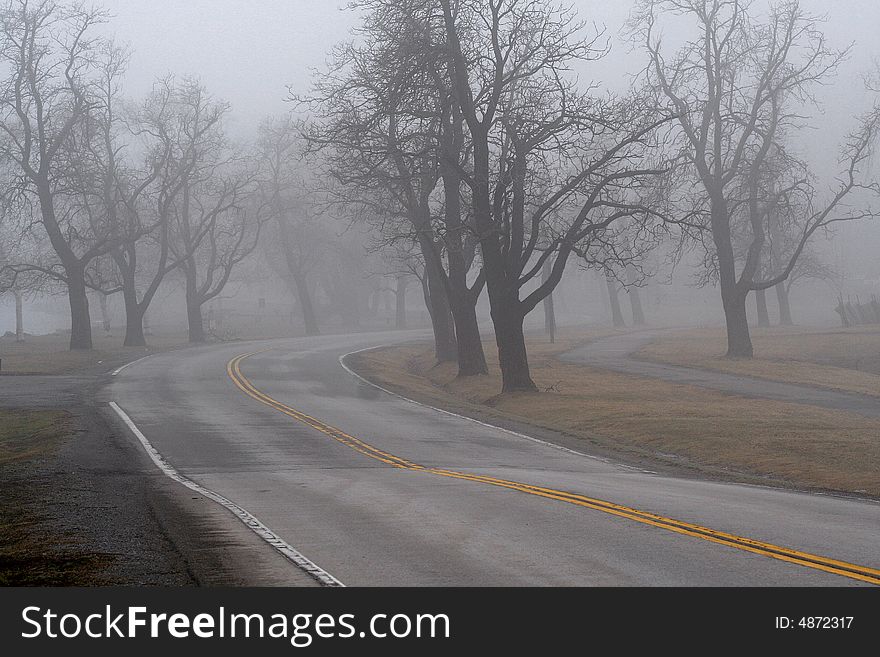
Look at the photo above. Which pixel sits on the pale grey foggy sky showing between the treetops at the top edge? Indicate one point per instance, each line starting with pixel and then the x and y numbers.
pixel 247 52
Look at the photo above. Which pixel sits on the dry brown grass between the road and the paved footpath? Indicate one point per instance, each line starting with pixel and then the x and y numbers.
pixel 647 418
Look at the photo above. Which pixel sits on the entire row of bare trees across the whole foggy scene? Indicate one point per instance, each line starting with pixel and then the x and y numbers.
pixel 459 138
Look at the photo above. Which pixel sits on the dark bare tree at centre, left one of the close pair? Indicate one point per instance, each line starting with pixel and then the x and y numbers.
pixel 380 119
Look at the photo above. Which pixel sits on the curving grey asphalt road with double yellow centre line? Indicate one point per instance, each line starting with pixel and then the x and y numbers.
pixel 379 491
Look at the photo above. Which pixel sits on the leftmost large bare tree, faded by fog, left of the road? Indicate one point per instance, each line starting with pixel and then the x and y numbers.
pixel 51 56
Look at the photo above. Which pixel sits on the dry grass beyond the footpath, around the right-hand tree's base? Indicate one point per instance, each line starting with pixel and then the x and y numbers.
pixel 840 359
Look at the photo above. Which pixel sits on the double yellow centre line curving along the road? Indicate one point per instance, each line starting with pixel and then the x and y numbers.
pixel 816 562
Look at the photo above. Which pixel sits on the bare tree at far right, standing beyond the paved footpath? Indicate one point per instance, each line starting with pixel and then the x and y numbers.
pixel 733 89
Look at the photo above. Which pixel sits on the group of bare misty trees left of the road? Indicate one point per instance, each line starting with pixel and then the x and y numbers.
pixel 108 196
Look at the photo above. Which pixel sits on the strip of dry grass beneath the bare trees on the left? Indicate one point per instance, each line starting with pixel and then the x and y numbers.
pixel 49 354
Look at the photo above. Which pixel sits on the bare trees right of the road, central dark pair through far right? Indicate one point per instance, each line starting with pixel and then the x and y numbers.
pixel 458 128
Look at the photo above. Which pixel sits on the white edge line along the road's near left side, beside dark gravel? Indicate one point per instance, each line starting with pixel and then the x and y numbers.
pixel 251 521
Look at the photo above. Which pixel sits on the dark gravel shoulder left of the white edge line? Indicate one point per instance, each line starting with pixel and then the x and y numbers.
pixel 98 498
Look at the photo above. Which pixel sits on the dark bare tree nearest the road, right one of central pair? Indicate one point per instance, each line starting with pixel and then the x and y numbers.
pixel 547 159
